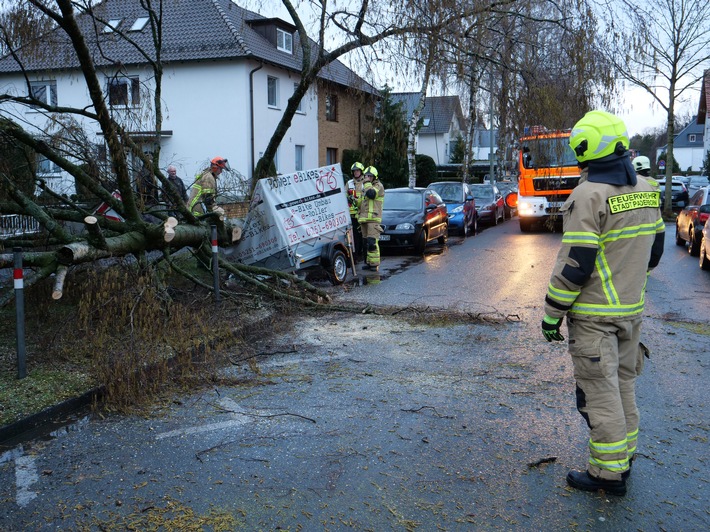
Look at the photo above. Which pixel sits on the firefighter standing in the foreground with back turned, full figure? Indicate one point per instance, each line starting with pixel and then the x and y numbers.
pixel 613 237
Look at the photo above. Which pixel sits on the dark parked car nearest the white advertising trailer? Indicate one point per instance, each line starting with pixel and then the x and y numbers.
pixel 413 217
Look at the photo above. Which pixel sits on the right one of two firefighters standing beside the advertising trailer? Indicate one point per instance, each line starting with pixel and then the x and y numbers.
pixel 370 216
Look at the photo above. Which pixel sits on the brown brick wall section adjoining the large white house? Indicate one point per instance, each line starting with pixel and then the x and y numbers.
pixel 354 118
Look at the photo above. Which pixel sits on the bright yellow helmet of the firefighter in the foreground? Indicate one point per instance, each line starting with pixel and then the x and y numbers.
pixel 598 134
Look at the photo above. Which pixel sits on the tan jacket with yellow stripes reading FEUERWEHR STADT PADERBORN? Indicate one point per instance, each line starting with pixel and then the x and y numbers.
pixel 613 236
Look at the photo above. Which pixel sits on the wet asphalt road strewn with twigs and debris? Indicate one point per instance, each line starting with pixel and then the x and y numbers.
pixel 372 422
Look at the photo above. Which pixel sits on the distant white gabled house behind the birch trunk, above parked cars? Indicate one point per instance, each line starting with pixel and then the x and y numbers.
pixel 442 122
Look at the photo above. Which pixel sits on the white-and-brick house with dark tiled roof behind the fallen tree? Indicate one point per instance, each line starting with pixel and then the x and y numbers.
pixel 228 74
